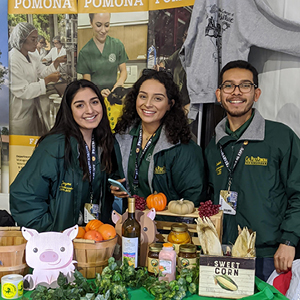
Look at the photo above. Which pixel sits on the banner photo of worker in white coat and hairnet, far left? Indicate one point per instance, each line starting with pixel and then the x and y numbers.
pixel 42 61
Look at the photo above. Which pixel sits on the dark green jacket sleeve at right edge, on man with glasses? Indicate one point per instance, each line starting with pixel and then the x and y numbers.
pixel 290 174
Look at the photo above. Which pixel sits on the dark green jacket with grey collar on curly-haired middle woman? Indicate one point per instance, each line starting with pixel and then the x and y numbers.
pixel 175 170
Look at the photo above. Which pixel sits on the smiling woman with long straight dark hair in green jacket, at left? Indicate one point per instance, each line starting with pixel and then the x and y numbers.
pixel 68 170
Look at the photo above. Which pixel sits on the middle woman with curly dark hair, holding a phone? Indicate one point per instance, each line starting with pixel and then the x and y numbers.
pixel 154 147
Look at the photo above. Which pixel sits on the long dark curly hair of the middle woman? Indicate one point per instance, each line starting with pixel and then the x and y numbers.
pixel 175 120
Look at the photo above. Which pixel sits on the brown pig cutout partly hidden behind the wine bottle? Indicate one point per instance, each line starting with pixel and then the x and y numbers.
pixel 148 229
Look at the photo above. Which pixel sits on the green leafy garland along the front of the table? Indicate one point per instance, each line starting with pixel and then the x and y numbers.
pixel 112 284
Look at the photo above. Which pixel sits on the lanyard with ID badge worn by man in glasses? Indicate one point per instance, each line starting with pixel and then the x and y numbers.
pixel 228 198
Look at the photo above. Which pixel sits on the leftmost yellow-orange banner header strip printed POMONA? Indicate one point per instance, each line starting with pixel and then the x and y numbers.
pixel 42 6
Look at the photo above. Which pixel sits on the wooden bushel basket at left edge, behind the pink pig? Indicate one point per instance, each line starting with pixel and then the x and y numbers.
pixel 12 252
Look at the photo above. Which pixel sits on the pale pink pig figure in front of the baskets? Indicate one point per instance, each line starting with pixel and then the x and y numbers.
pixel 49 253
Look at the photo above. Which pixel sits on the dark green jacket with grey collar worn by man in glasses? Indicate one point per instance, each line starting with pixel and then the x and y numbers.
pixel 267 180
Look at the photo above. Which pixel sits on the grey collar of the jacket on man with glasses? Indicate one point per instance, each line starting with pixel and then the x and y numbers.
pixel 254 132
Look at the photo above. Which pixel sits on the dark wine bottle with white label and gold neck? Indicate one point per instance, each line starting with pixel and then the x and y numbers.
pixel 131 234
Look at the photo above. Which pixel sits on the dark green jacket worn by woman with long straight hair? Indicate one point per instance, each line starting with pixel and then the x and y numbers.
pixel 46 196
